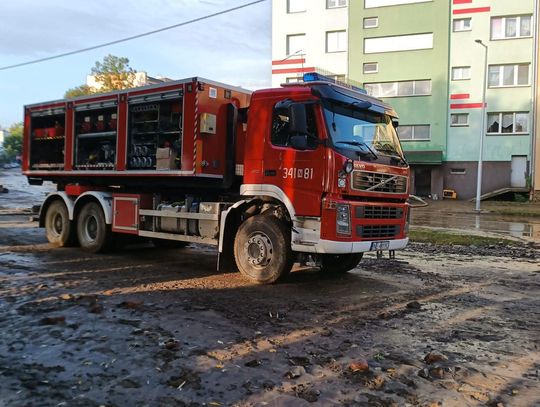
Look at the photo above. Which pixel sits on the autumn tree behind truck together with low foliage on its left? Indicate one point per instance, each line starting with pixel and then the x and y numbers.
pixel 112 73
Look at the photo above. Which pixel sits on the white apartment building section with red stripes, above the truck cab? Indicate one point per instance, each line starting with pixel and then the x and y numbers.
pixel 308 35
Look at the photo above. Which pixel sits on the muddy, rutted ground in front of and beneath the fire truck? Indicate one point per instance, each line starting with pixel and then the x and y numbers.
pixel 154 327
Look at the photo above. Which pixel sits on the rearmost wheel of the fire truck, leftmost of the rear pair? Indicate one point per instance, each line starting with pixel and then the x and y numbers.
pixel 59 229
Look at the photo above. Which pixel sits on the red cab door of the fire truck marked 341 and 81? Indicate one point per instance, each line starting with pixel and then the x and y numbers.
pixel 298 173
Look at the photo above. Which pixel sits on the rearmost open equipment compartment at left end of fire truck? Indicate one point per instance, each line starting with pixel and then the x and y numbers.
pixel 47 139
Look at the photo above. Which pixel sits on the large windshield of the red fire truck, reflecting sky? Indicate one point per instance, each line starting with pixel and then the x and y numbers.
pixel 369 133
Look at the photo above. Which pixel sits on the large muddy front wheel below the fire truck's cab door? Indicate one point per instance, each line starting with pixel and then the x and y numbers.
pixel 262 249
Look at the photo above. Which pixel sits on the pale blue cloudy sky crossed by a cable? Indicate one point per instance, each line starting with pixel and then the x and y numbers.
pixel 234 48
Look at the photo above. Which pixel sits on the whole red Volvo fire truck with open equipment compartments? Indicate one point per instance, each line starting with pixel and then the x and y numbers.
pixel 270 177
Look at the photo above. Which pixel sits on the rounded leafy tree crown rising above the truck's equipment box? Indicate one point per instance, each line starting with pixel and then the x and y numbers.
pixel 113 73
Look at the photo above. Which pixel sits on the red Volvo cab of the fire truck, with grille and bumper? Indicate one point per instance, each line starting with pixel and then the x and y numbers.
pixel 331 154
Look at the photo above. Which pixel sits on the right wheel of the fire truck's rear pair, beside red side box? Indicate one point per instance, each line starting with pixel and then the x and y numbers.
pixel 94 234
